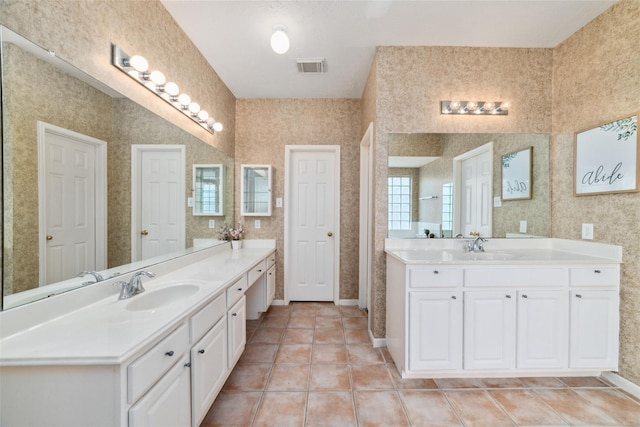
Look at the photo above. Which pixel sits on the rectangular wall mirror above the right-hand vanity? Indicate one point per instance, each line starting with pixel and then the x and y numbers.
pixel 423 172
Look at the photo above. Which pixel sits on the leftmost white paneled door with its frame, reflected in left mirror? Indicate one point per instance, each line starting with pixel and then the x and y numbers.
pixel 72 203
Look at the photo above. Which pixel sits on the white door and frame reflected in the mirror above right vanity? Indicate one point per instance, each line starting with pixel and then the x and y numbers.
pixel 473 187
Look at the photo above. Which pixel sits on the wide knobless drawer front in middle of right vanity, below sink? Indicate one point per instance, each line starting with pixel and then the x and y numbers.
pixel 516 276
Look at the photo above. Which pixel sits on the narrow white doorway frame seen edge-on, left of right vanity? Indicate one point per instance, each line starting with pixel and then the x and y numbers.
pixel 366 218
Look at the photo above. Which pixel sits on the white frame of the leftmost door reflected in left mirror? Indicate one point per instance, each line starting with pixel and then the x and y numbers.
pixel 100 194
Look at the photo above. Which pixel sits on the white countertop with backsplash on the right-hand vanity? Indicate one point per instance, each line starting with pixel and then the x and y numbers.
pixel 503 252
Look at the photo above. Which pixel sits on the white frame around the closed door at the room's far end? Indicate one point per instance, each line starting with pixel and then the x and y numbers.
pixel 288 151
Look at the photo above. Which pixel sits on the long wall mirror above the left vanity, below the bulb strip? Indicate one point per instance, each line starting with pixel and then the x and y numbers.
pixel 51 110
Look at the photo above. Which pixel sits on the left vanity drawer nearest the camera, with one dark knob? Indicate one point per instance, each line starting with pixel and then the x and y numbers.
pixel 147 369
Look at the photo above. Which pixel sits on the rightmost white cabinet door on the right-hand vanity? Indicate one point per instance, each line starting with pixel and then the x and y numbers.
pixel 594 329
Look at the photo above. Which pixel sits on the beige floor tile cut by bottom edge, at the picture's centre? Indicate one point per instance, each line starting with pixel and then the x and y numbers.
pixel 331 409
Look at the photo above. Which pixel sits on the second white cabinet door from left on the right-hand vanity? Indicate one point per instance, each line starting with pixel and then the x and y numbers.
pixel 489 329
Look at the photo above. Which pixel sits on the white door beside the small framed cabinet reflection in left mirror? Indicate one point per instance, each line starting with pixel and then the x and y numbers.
pixel 158 200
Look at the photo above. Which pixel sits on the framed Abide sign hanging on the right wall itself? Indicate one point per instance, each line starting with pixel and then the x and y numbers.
pixel 606 158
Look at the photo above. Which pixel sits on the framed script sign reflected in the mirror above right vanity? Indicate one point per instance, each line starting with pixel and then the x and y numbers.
pixel 517 177
